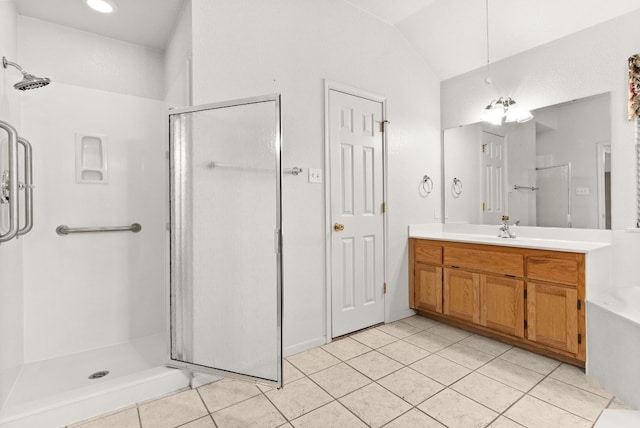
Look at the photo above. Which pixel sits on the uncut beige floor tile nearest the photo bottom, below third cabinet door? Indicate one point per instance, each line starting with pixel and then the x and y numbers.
pixel 487 391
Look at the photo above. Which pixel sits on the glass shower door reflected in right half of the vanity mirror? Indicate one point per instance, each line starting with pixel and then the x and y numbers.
pixel 553 197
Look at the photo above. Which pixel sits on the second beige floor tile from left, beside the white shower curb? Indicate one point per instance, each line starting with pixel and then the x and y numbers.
pixel 173 410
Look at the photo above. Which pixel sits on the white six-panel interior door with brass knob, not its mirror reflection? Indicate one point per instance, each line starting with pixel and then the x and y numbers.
pixel 357 218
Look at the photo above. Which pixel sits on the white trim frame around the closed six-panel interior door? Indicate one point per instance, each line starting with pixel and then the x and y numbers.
pixel 330 85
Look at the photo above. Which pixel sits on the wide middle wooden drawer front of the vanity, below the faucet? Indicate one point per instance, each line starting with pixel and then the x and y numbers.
pixel 485 260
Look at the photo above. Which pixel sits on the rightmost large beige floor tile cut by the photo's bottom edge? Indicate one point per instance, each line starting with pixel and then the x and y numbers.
pixel 534 413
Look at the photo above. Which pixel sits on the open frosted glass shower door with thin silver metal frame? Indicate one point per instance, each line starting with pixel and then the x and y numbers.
pixel 226 282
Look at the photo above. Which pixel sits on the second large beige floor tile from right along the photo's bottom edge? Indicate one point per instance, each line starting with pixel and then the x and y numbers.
pixel 457 411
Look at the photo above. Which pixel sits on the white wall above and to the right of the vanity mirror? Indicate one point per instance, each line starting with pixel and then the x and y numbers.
pixel 586 63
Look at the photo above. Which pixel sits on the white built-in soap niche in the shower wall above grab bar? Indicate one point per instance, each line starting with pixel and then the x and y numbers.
pixel 91 159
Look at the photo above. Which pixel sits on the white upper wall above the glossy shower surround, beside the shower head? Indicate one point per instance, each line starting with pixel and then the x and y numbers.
pixel 89 60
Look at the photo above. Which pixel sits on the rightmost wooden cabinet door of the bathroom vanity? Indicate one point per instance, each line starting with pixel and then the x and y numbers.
pixel 552 315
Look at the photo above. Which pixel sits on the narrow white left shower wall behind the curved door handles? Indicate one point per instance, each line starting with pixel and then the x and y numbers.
pixel 11 295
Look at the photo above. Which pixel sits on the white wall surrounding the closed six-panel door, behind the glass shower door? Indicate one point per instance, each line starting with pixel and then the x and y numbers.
pixel 249 48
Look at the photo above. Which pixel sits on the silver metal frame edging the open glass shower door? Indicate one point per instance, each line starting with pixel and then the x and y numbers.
pixel 177 163
